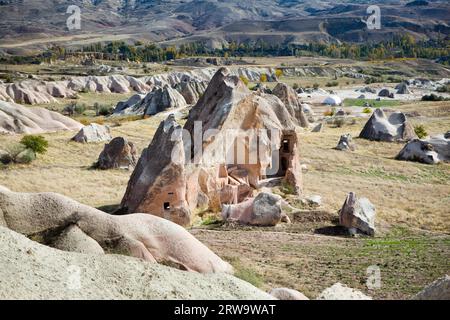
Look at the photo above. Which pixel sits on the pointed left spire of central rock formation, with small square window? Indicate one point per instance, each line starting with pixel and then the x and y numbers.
pixel 158 184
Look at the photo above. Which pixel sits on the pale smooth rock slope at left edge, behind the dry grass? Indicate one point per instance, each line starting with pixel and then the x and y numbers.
pixel 18 119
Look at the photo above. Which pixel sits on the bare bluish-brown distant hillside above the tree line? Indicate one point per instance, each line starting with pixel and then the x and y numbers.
pixel 39 23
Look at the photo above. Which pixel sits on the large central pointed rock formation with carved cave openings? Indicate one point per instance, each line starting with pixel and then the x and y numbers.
pixel 173 188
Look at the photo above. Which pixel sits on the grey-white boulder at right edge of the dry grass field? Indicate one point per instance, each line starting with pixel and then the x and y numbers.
pixel 431 151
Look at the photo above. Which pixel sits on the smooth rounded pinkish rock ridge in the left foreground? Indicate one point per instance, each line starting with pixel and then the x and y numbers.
pixel 49 218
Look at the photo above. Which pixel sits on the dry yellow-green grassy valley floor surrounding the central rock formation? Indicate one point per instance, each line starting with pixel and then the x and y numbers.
pixel 412 202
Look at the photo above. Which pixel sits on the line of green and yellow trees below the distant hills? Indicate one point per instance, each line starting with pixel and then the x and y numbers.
pixel 404 46
